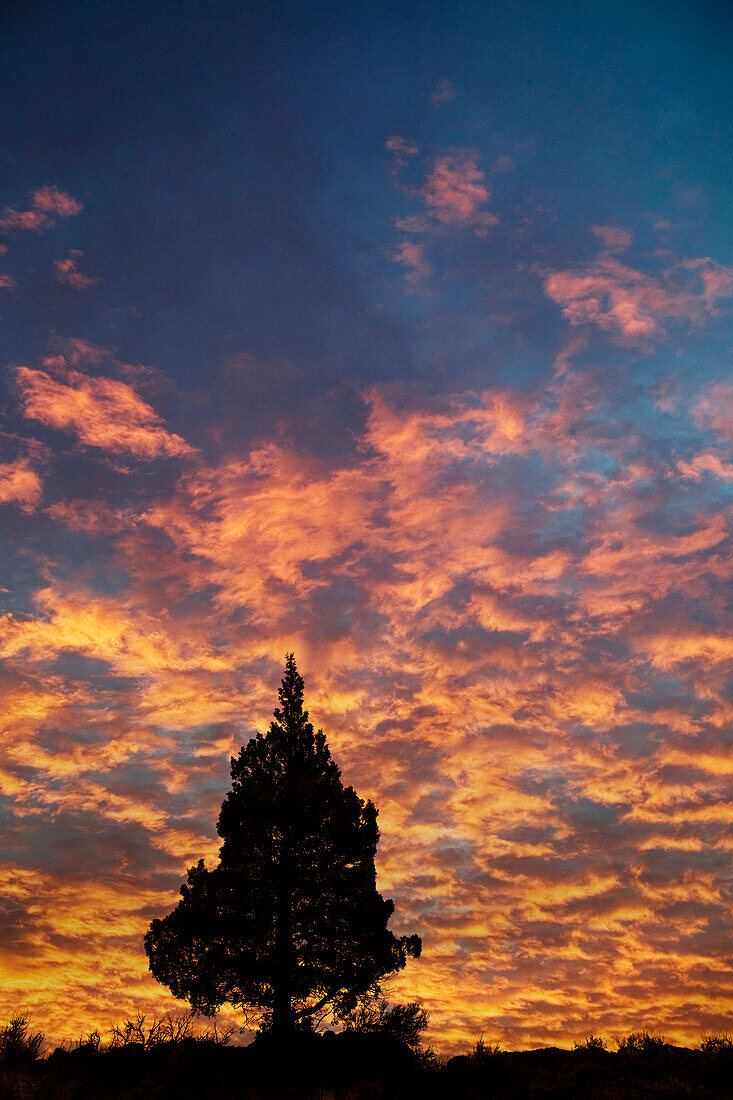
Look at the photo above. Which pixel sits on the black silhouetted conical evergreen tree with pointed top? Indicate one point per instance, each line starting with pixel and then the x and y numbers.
pixel 290 926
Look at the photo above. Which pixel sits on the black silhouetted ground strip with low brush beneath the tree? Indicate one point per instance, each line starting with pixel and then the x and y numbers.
pixel 357 1069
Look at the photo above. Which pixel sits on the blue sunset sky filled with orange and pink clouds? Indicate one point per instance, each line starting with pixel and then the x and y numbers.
pixel 400 338
